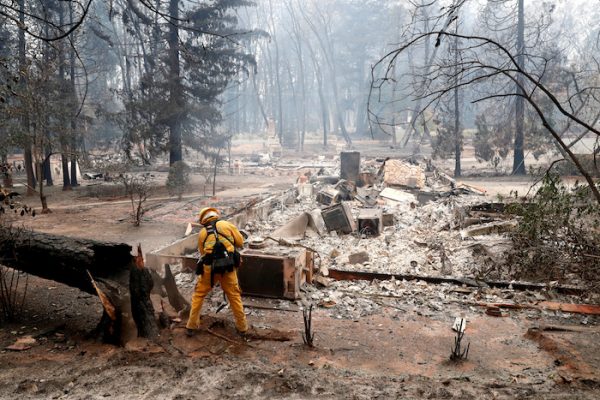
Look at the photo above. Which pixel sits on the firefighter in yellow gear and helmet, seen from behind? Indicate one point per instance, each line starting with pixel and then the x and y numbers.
pixel 217 243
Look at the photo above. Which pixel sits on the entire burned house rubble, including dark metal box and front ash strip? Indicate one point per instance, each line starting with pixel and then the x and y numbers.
pixel 423 242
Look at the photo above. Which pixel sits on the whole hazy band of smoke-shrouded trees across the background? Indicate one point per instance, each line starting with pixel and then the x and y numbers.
pixel 156 78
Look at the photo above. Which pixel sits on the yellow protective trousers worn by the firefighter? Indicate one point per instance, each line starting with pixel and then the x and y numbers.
pixel 230 286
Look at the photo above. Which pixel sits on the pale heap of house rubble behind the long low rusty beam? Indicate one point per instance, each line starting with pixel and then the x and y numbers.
pixel 404 221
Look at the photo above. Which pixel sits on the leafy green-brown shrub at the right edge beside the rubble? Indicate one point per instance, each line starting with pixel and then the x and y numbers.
pixel 558 236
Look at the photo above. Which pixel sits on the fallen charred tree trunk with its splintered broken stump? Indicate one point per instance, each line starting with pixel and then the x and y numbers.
pixel 106 269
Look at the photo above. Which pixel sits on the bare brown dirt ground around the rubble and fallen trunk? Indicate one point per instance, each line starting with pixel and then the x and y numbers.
pixel 398 352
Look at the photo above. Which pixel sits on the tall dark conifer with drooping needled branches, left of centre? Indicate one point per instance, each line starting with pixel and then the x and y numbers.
pixel 178 100
